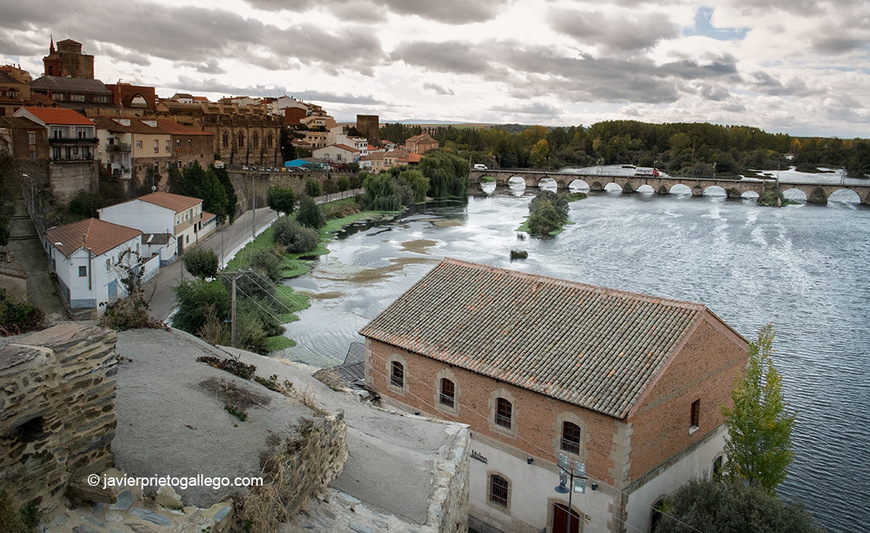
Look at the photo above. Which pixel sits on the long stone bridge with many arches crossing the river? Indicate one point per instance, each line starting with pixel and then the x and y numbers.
pixel 816 193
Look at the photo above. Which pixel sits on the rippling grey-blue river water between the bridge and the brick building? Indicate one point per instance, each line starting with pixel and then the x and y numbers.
pixel 802 267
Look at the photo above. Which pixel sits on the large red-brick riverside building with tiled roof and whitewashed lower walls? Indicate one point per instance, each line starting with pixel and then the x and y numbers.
pixel 629 384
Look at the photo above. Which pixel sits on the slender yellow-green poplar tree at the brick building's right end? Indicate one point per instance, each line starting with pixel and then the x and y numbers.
pixel 758 445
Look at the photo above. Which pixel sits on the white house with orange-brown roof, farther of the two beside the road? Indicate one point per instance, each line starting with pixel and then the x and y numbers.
pixel 163 212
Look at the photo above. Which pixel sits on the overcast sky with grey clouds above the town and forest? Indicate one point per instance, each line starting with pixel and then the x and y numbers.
pixel 793 66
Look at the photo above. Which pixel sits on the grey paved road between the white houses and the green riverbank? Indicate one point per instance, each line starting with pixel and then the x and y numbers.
pixel 161 288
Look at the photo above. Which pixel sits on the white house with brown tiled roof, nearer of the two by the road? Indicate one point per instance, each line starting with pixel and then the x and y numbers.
pixel 84 255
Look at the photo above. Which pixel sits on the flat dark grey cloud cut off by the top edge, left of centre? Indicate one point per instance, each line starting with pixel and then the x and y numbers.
pixel 448 11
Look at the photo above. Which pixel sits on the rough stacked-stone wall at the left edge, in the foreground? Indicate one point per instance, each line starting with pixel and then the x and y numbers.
pixel 58 415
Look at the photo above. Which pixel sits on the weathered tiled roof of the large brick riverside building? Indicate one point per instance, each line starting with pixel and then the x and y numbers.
pixel 594 347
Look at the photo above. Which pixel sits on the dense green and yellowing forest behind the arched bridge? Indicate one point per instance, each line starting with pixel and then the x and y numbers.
pixel 697 149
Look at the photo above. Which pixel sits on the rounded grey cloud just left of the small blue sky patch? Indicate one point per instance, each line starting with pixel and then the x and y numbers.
pixel 625 32
